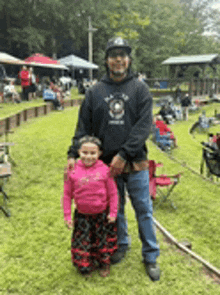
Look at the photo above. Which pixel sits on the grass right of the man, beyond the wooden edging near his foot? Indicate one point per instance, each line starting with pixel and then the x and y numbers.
pixel 197 200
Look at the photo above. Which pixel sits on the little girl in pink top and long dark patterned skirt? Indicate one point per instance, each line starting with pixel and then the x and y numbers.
pixel 94 192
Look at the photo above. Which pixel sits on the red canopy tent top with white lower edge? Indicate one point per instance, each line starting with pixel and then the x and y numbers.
pixel 41 60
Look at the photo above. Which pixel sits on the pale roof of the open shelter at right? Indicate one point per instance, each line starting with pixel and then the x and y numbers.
pixel 192 60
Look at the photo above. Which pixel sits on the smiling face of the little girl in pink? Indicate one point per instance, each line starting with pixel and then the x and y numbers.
pixel 89 153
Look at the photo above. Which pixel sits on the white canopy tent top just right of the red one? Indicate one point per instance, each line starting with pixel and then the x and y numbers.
pixel 77 62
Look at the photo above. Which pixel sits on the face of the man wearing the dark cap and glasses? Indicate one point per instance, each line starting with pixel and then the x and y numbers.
pixel 118 63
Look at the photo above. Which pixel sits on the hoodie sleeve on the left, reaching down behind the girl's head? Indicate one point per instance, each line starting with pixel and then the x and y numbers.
pixel 84 127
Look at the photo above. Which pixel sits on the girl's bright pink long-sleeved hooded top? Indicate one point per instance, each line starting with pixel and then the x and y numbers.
pixel 92 189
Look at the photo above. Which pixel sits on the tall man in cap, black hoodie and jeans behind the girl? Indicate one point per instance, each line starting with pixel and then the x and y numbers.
pixel 118 110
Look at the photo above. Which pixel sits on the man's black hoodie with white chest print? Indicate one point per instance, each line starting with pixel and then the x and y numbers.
pixel 120 115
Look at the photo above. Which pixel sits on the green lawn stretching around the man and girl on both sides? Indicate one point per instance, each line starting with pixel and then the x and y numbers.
pixel 35 245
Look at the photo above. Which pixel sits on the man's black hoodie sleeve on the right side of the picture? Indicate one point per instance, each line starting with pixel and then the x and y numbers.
pixel 141 129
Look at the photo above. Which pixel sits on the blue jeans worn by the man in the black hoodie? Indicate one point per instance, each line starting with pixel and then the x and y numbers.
pixel 137 185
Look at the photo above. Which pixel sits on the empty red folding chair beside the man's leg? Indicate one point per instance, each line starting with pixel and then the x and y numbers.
pixel 157 183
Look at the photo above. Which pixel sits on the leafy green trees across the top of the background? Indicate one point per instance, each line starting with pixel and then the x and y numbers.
pixel 156 29
